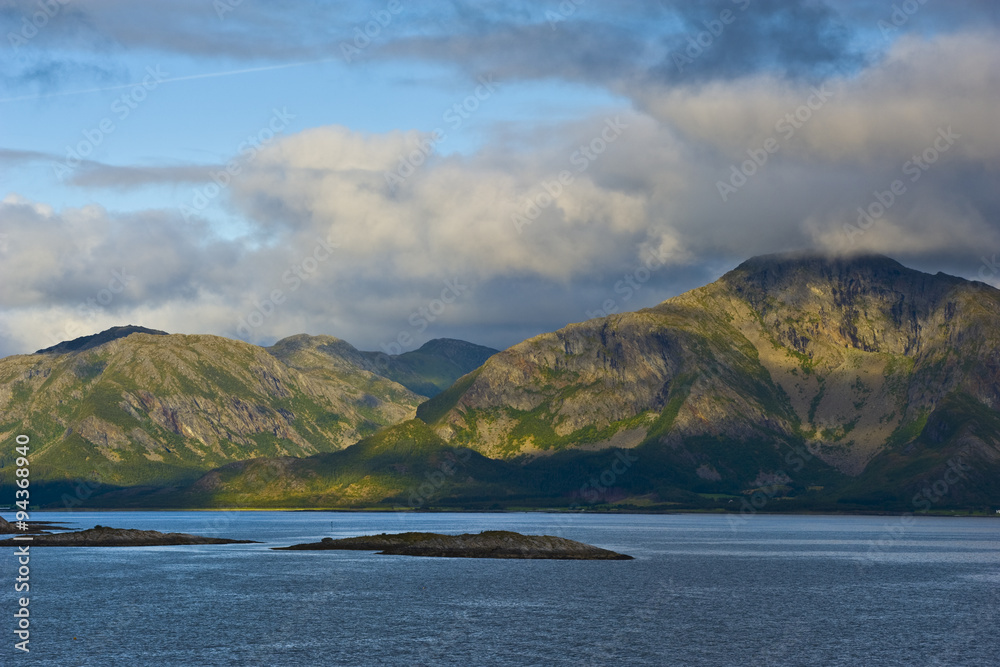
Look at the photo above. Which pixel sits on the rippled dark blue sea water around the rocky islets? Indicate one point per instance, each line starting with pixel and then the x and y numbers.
pixel 703 590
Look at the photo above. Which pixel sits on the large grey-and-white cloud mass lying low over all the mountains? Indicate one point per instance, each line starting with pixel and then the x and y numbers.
pixel 649 189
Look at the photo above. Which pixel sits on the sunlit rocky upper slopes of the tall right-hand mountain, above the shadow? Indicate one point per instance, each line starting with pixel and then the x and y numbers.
pixel 847 356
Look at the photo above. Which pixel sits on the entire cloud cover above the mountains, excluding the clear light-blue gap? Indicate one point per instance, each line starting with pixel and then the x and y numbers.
pixel 795 125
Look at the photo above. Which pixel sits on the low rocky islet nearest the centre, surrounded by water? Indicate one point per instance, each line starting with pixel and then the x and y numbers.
pixel 487 544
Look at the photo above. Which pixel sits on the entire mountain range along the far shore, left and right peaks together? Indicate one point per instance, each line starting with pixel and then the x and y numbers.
pixel 794 382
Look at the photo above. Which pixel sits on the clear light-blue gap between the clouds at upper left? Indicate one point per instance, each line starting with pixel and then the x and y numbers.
pixel 185 121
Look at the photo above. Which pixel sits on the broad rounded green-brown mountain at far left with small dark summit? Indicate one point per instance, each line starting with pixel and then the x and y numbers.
pixel 126 407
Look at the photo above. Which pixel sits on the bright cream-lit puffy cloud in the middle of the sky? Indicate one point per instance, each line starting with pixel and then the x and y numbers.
pixel 453 213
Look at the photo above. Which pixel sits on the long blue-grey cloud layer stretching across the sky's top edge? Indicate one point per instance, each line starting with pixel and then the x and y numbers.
pixel 605 43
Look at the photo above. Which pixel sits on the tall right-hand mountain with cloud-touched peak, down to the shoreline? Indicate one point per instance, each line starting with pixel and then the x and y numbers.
pixel 797 380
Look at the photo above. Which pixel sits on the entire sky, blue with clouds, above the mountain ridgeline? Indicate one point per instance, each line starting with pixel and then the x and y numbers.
pixel 394 171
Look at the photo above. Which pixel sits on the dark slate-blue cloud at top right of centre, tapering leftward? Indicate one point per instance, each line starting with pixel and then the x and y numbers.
pixel 649 41
